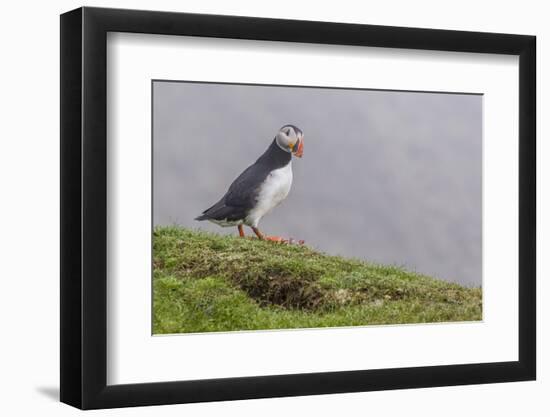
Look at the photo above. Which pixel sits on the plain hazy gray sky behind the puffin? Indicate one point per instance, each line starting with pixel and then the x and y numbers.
pixel 389 177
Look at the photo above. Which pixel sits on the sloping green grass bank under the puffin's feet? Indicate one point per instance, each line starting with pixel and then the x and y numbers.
pixel 205 282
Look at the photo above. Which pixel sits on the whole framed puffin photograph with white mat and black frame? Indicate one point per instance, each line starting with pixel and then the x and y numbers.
pixel 258 208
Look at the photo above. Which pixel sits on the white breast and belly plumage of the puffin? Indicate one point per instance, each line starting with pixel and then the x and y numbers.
pixel 273 191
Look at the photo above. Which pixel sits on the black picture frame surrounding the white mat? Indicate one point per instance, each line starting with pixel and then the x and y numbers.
pixel 84 207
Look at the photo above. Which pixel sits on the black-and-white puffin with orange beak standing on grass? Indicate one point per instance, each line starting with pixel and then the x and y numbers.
pixel 261 187
